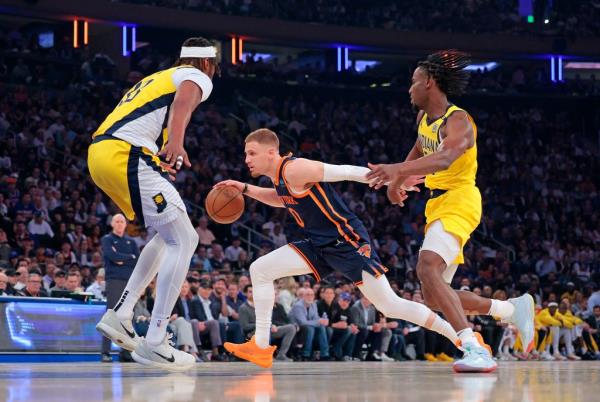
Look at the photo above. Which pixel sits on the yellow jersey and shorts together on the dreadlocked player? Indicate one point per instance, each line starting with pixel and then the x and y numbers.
pixel 459 206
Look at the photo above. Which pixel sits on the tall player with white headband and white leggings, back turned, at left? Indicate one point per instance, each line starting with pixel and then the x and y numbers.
pixel 123 159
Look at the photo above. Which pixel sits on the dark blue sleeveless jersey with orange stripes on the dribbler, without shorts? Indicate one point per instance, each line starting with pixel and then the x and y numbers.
pixel 321 212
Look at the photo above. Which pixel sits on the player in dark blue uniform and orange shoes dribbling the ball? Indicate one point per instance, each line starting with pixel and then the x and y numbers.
pixel 336 240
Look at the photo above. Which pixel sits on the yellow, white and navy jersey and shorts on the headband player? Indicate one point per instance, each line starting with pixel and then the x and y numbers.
pixel 122 159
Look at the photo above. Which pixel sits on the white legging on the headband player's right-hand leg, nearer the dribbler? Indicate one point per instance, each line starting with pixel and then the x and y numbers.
pixel 181 240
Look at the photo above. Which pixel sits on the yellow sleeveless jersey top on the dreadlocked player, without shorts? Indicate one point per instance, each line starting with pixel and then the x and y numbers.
pixel 463 170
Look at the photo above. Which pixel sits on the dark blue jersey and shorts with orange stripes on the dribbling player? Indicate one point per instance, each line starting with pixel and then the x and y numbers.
pixel 336 240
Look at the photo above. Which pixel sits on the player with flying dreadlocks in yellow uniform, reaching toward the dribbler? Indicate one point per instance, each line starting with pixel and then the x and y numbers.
pixel 446 152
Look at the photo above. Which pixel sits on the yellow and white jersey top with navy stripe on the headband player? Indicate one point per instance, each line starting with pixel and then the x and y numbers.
pixel 140 118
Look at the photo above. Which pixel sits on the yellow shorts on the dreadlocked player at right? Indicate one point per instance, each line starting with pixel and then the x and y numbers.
pixel 459 211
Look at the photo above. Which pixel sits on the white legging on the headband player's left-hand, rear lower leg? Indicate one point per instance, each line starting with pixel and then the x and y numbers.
pixel 145 269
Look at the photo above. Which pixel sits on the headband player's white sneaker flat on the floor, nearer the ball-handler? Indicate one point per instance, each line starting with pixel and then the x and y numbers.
pixel 163 356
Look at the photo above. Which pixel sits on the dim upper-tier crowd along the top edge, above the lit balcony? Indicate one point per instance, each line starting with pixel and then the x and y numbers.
pixel 473 16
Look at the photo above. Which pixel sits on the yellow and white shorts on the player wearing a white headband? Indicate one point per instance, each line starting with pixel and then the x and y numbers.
pixel 132 177
